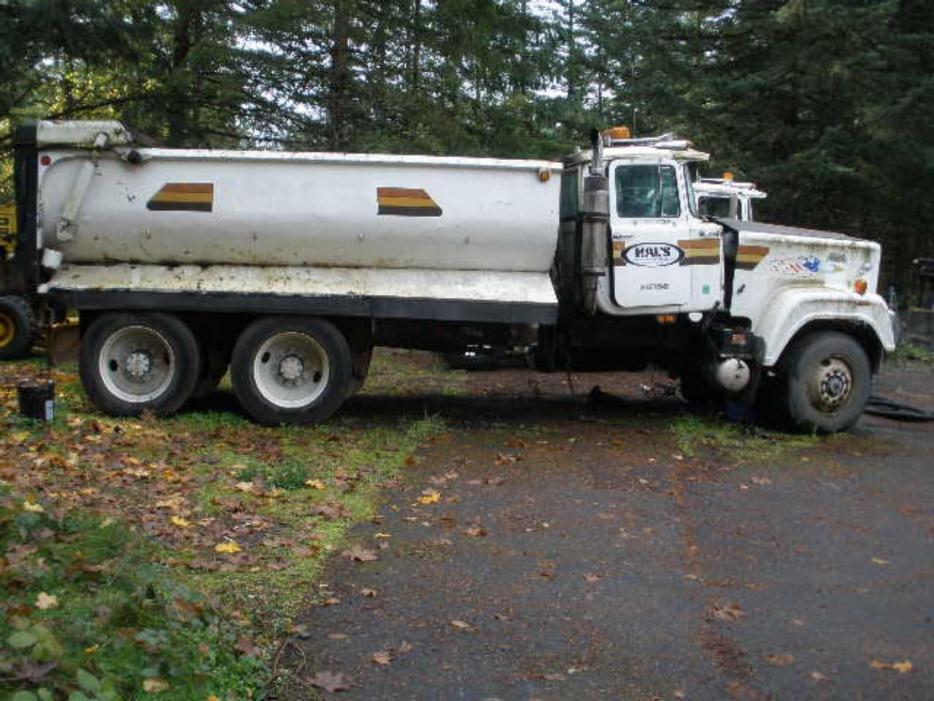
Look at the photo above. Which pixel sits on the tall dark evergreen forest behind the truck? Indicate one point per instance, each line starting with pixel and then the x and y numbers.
pixel 826 104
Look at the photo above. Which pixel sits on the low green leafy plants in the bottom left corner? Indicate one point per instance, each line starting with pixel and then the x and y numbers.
pixel 111 618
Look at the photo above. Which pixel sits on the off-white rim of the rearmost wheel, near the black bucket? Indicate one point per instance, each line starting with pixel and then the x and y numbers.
pixel 136 364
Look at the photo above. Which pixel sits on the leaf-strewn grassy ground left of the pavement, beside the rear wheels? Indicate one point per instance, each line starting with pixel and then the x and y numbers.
pixel 178 550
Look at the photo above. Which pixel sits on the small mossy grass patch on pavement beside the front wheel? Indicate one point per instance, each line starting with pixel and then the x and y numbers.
pixel 701 437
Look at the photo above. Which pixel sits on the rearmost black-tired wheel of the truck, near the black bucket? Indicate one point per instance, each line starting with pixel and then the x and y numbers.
pixel 131 363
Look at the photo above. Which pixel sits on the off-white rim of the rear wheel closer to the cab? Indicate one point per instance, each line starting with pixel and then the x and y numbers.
pixel 291 370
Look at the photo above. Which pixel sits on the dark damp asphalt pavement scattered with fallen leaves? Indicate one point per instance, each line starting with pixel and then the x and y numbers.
pixel 580 552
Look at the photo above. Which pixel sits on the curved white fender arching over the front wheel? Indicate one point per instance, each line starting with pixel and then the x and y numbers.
pixel 792 309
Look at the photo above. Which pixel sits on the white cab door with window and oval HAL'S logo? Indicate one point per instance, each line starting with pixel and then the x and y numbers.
pixel 658 243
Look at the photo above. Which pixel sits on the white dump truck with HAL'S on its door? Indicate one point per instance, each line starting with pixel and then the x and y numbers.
pixel 289 268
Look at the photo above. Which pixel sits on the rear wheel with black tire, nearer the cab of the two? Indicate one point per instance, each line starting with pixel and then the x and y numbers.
pixel 291 370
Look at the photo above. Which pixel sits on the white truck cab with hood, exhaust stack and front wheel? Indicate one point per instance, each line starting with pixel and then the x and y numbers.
pixel 732 307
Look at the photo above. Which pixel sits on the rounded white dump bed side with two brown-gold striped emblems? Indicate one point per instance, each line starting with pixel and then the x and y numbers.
pixel 259 208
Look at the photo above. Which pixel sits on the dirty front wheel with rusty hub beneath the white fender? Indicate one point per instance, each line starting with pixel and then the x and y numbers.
pixel 828 380
